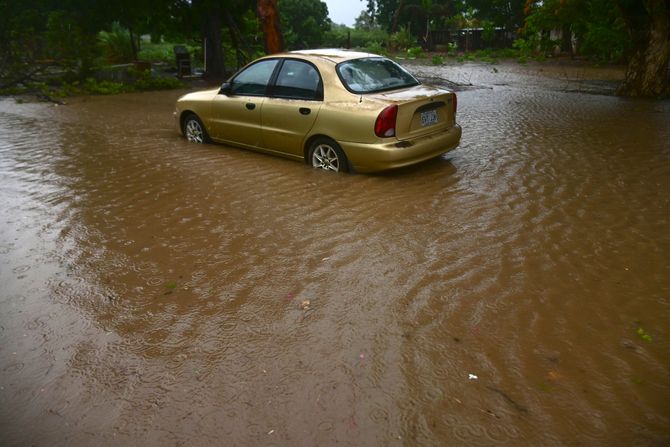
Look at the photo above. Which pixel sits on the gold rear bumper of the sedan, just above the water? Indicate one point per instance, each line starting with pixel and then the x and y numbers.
pixel 398 153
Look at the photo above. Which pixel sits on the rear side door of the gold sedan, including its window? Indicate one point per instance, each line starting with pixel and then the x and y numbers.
pixel 291 108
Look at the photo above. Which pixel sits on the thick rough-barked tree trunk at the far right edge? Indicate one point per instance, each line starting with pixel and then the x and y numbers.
pixel 649 27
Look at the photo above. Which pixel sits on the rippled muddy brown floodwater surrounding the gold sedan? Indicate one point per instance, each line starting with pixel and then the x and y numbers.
pixel 513 292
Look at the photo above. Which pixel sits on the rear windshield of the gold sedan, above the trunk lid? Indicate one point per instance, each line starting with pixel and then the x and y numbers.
pixel 374 74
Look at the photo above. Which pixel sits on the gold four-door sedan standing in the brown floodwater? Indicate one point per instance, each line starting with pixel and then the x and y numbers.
pixel 336 110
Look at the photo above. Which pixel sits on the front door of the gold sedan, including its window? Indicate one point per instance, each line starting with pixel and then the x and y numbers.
pixel 236 110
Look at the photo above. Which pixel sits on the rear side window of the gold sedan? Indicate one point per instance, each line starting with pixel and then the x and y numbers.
pixel 298 80
